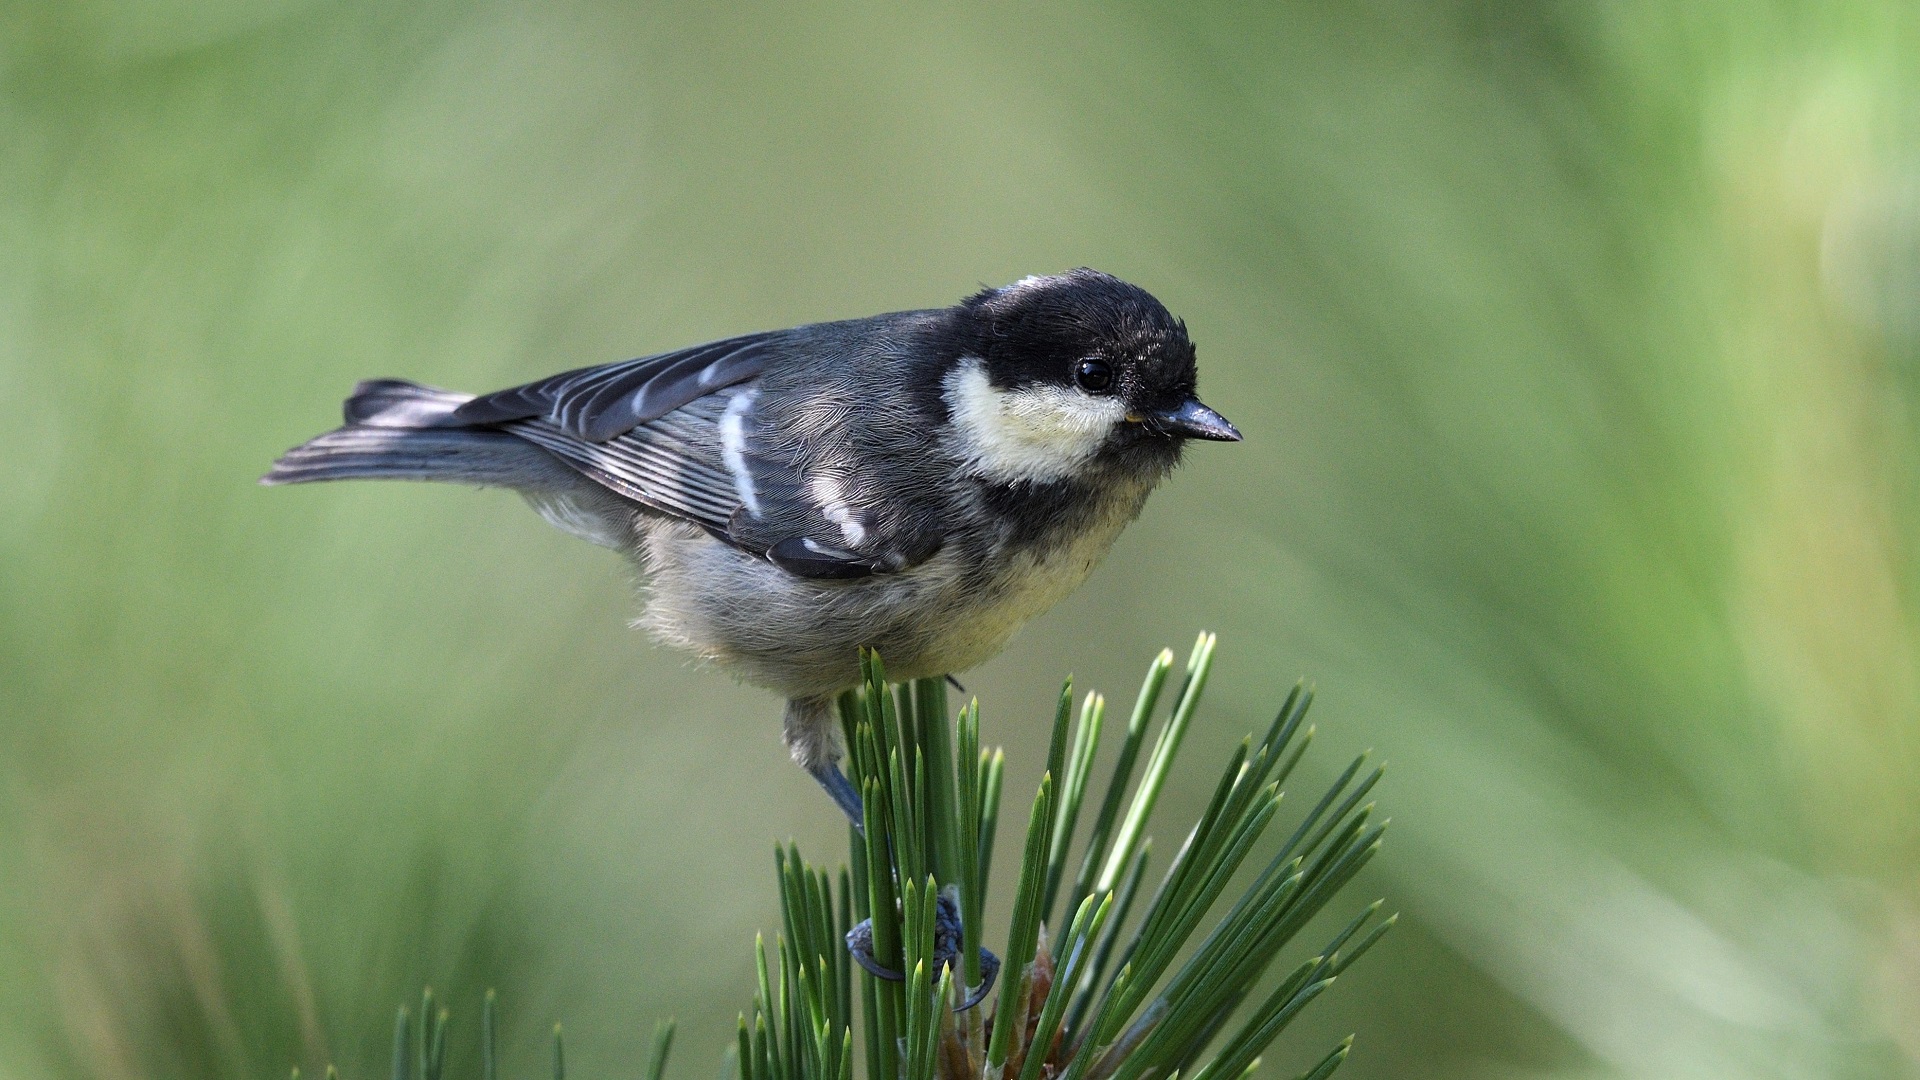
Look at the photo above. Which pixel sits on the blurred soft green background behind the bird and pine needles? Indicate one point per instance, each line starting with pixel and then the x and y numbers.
pixel 1577 349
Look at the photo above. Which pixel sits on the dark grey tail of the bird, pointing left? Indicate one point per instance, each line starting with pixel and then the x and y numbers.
pixel 391 435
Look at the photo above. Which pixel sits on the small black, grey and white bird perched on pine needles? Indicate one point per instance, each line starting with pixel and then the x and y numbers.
pixel 921 483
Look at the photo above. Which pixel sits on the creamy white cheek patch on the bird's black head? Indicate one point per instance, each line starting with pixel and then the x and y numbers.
pixel 1036 433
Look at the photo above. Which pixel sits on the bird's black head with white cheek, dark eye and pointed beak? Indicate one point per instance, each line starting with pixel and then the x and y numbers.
pixel 1059 376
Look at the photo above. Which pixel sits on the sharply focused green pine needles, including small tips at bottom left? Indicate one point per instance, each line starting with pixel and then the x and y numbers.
pixel 1138 987
